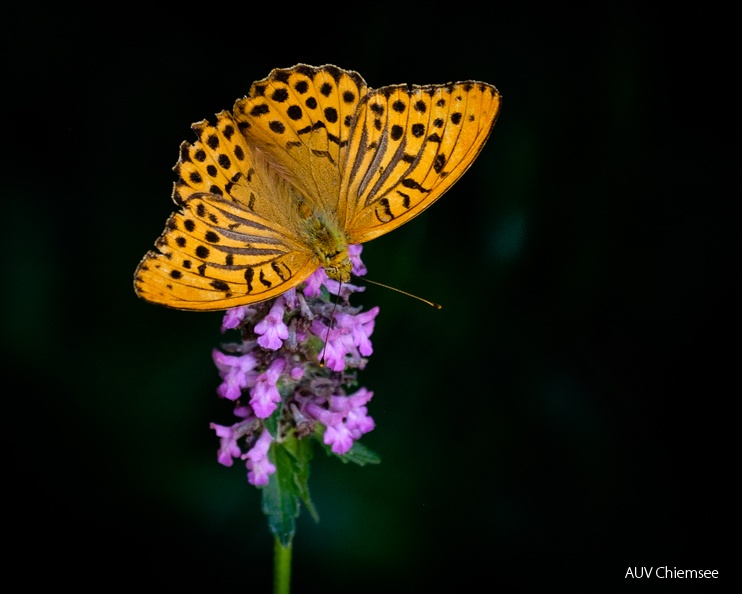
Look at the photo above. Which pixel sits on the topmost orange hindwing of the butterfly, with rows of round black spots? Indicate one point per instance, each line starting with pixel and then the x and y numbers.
pixel 301 118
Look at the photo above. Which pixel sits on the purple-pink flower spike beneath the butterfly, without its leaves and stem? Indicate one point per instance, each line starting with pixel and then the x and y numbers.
pixel 278 346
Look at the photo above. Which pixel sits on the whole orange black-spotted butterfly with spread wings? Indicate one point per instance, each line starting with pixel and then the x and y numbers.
pixel 310 161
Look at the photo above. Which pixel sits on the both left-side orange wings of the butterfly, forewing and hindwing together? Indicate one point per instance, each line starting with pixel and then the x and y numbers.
pixel 232 243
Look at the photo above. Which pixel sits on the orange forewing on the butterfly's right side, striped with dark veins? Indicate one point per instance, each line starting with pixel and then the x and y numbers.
pixel 408 147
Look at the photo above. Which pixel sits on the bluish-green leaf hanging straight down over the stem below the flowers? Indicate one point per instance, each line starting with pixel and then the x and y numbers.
pixel 281 496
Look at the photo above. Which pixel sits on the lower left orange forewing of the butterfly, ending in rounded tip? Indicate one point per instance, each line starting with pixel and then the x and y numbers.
pixel 213 257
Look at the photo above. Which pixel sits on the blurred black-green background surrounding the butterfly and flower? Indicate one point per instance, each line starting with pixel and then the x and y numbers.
pixel 566 416
